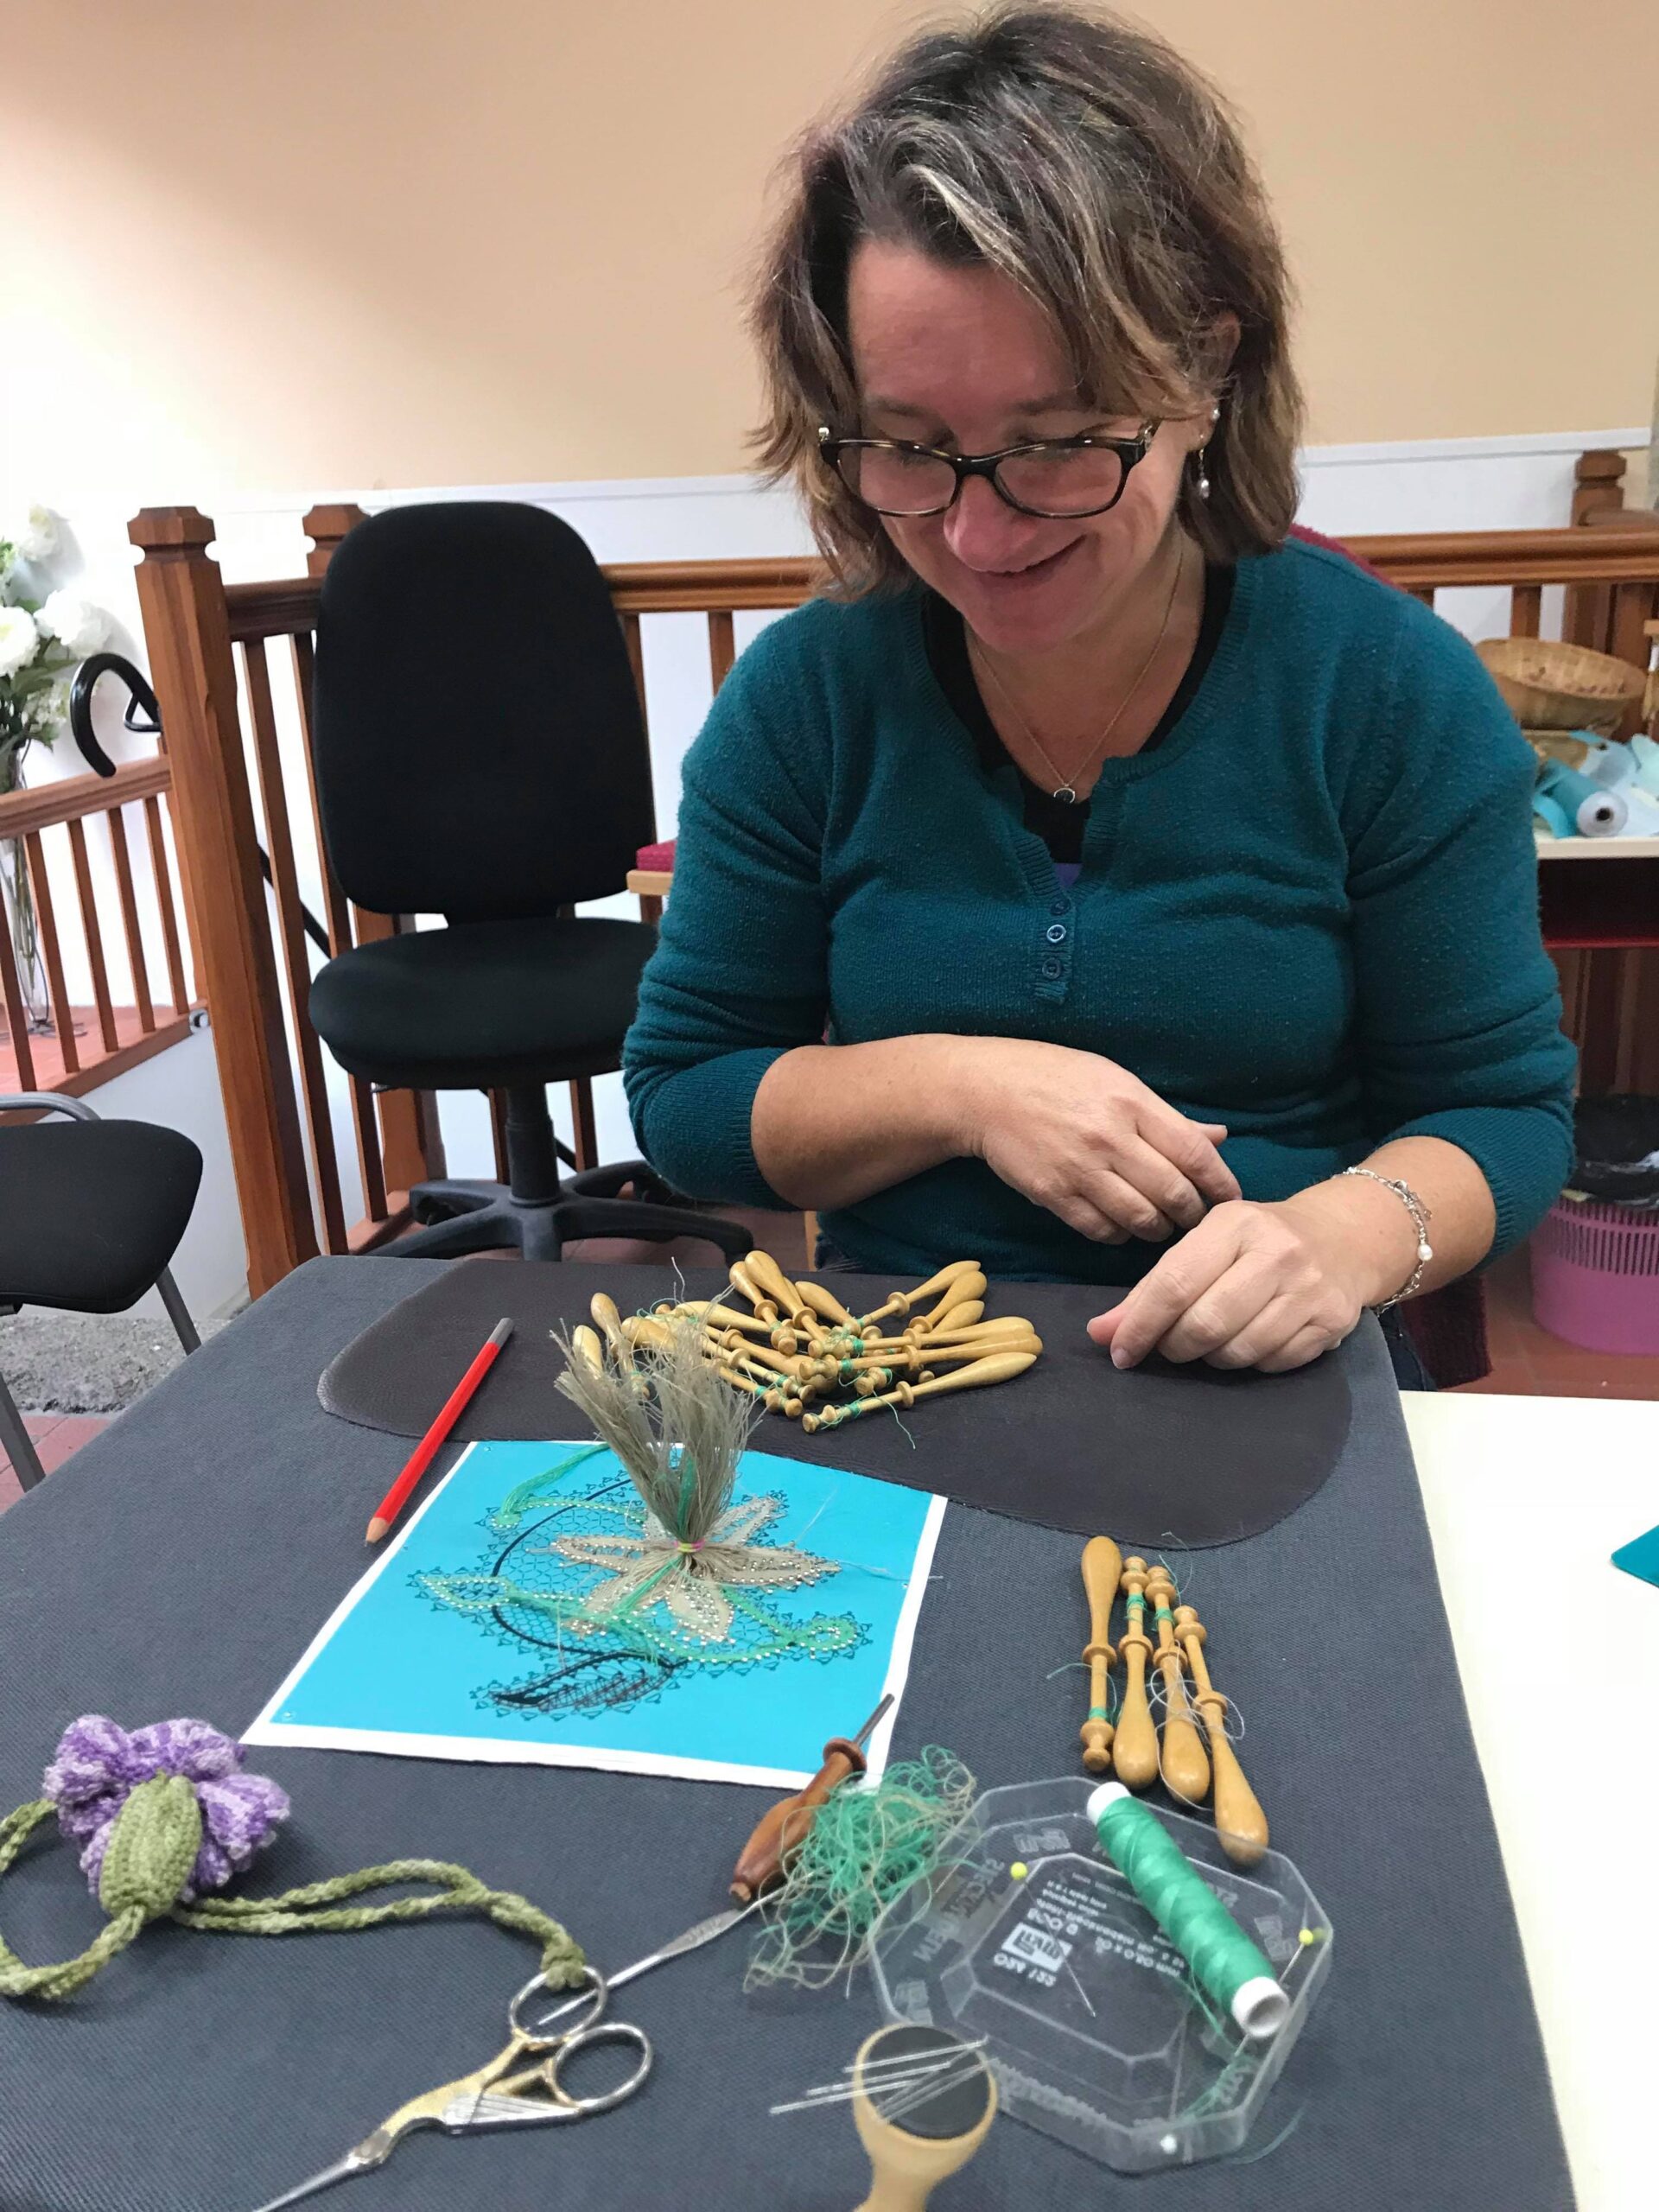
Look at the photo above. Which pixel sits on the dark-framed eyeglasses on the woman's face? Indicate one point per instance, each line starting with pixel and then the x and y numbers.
pixel 1061 479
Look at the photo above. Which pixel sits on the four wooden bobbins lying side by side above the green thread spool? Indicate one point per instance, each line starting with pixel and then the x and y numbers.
pixel 1138 1746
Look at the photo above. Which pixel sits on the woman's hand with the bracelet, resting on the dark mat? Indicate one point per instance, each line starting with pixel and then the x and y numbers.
pixel 1258 1286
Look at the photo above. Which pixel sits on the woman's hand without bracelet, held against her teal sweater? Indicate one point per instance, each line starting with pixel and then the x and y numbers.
pixel 1089 1140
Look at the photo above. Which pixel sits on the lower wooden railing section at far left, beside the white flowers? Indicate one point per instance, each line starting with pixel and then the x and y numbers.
pixel 65 1052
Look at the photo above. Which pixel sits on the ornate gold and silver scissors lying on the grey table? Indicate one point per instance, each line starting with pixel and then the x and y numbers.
pixel 510 2096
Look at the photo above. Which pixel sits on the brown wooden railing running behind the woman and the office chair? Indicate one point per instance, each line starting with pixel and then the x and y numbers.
pixel 225 718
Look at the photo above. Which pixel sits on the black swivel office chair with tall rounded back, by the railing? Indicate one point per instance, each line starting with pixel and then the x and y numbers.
pixel 481 755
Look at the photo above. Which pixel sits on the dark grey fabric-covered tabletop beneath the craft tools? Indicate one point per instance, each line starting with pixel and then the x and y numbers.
pixel 185 1558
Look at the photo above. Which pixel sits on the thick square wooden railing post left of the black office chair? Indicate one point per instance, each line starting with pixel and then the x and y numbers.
pixel 196 682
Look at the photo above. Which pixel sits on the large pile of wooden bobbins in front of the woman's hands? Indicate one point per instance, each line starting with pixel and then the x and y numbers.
pixel 797 1350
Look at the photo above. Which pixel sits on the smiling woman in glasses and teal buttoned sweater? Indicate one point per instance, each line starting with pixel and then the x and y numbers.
pixel 1096 879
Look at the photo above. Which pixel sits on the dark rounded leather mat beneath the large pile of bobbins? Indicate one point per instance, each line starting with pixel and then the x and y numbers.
pixel 1154 1457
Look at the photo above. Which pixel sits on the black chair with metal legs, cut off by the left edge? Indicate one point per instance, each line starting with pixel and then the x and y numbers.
pixel 90 1218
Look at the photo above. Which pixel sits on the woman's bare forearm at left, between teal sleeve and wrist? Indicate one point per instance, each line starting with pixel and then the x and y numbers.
pixel 837 1123
